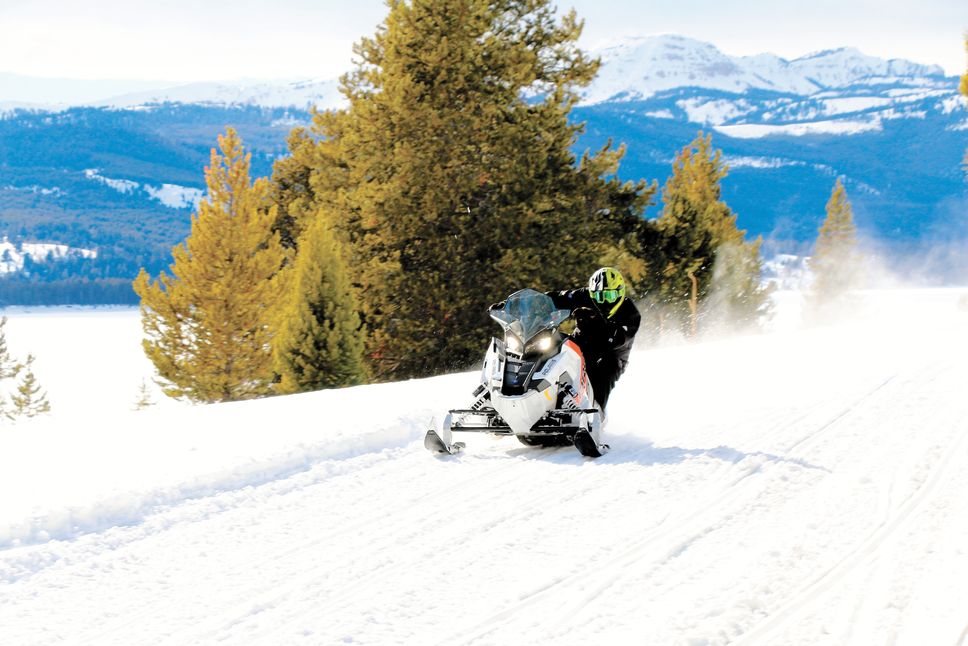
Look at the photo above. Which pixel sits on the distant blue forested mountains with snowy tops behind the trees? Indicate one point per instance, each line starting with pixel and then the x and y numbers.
pixel 120 174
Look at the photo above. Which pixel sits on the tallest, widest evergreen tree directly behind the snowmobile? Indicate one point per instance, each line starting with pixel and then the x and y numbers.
pixel 451 176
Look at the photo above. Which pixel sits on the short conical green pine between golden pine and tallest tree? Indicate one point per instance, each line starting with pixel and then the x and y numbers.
pixel 319 342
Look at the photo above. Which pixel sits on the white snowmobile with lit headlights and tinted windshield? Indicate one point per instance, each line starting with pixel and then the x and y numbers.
pixel 533 384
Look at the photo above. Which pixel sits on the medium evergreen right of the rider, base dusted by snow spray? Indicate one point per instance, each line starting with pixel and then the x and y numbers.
pixel 700 242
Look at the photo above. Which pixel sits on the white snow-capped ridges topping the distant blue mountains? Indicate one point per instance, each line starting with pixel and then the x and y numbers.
pixel 632 69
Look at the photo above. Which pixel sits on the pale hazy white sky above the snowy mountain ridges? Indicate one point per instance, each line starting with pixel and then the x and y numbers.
pixel 191 40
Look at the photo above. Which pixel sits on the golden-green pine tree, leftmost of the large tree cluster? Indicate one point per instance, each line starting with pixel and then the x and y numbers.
pixel 207 326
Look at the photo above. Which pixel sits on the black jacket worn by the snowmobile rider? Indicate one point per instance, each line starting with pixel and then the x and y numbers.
pixel 606 342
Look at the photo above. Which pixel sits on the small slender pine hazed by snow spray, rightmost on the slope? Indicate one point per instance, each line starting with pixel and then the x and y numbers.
pixel 835 264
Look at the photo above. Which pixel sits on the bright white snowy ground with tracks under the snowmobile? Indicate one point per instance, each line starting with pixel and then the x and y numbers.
pixel 806 486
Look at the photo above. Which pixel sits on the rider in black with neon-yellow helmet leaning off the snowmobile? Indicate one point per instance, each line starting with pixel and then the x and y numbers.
pixel 606 326
